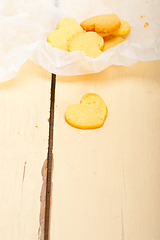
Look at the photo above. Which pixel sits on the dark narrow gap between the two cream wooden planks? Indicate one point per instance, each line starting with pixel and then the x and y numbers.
pixel 50 161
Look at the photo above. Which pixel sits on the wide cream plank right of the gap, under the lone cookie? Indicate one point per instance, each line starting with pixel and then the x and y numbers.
pixel 106 182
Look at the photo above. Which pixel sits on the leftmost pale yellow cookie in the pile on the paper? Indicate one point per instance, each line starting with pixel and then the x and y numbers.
pixel 64 33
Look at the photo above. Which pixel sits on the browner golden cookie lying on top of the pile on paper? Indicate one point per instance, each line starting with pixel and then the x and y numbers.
pixel 105 24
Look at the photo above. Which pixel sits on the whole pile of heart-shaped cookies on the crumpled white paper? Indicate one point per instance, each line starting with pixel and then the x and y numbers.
pixel 92 36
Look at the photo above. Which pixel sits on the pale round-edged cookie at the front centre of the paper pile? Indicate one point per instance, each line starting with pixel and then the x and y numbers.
pixel 89 42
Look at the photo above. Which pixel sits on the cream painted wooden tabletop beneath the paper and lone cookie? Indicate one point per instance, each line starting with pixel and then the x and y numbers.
pixel 105 182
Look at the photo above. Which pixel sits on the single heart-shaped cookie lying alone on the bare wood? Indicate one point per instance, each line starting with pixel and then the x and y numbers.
pixel 89 114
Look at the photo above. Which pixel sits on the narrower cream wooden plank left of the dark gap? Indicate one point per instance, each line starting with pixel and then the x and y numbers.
pixel 24 127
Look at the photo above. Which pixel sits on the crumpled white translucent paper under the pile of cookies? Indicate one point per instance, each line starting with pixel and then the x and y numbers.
pixel 25 25
